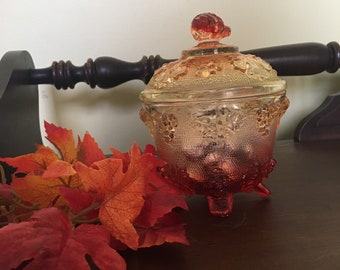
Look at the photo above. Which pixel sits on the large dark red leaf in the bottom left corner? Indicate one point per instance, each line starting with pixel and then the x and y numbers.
pixel 48 241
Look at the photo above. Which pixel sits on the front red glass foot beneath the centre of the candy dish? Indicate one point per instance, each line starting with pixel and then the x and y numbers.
pixel 220 206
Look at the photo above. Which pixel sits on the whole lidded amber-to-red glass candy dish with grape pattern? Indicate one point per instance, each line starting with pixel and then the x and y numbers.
pixel 213 115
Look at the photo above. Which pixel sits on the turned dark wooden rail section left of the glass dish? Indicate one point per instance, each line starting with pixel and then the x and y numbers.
pixel 104 72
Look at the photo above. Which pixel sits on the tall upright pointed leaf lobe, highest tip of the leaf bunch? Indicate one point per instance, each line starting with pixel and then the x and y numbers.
pixel 63 140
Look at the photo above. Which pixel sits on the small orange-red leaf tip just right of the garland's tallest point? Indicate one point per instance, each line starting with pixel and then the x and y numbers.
pixel 89 152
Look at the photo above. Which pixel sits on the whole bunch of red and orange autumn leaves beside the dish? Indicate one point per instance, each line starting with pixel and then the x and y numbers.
pixel 83 199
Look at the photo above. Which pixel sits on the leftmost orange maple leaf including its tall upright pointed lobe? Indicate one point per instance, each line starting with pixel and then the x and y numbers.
pixel 45 171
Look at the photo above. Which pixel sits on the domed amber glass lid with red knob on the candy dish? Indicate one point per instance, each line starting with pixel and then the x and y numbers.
pixel 211 70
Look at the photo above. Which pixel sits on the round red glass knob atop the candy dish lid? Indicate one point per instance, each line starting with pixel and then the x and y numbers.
pixel 208 26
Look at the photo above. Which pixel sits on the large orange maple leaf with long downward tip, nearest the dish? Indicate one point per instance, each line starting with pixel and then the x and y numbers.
pixel 122 192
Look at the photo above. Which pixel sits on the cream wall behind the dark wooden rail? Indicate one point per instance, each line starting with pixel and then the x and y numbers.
pixel 82 29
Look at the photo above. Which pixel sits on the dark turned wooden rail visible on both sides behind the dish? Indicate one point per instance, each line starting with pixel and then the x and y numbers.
pixel 108 72
